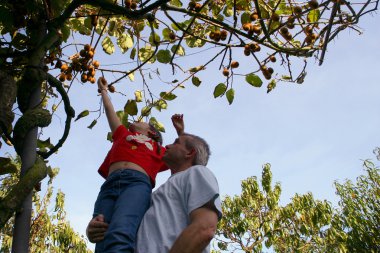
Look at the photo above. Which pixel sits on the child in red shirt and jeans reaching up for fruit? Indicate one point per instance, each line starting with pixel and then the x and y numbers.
pixel 130 169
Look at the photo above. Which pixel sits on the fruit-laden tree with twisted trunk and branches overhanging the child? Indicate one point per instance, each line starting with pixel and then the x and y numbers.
pixel 41 58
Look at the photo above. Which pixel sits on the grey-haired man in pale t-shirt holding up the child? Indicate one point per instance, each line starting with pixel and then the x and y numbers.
pixel 185 210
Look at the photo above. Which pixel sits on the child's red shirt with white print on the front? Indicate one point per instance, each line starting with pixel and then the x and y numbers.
pixel 136 148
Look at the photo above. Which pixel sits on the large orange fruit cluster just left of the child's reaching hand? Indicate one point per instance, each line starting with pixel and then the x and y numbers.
pixel 82 63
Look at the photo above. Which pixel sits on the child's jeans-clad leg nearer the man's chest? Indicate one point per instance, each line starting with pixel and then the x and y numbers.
pixel 129 209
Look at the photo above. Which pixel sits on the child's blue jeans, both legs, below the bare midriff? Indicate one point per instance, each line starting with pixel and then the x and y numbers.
pixel 123 200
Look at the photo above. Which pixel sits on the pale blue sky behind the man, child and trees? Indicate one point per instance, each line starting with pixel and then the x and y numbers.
pixel 312 134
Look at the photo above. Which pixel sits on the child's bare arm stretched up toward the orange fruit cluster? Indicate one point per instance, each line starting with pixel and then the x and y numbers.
pixel 112 118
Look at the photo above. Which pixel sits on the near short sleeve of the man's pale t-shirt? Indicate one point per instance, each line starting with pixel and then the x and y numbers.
pixel 202 188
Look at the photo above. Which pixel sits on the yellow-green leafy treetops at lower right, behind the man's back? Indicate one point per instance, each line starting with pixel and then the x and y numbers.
pixel 255 219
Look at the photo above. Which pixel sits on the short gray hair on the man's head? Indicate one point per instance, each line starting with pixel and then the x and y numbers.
pixel 201 147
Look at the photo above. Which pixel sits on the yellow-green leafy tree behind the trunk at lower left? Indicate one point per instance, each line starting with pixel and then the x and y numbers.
pixel 50 231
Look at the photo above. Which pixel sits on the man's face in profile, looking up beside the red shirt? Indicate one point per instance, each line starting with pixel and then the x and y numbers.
pixel 175 153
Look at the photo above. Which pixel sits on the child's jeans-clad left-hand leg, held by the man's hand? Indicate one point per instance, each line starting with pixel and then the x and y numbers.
pixel 105 203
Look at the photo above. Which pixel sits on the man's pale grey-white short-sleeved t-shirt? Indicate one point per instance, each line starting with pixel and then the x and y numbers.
pixel 172 203
